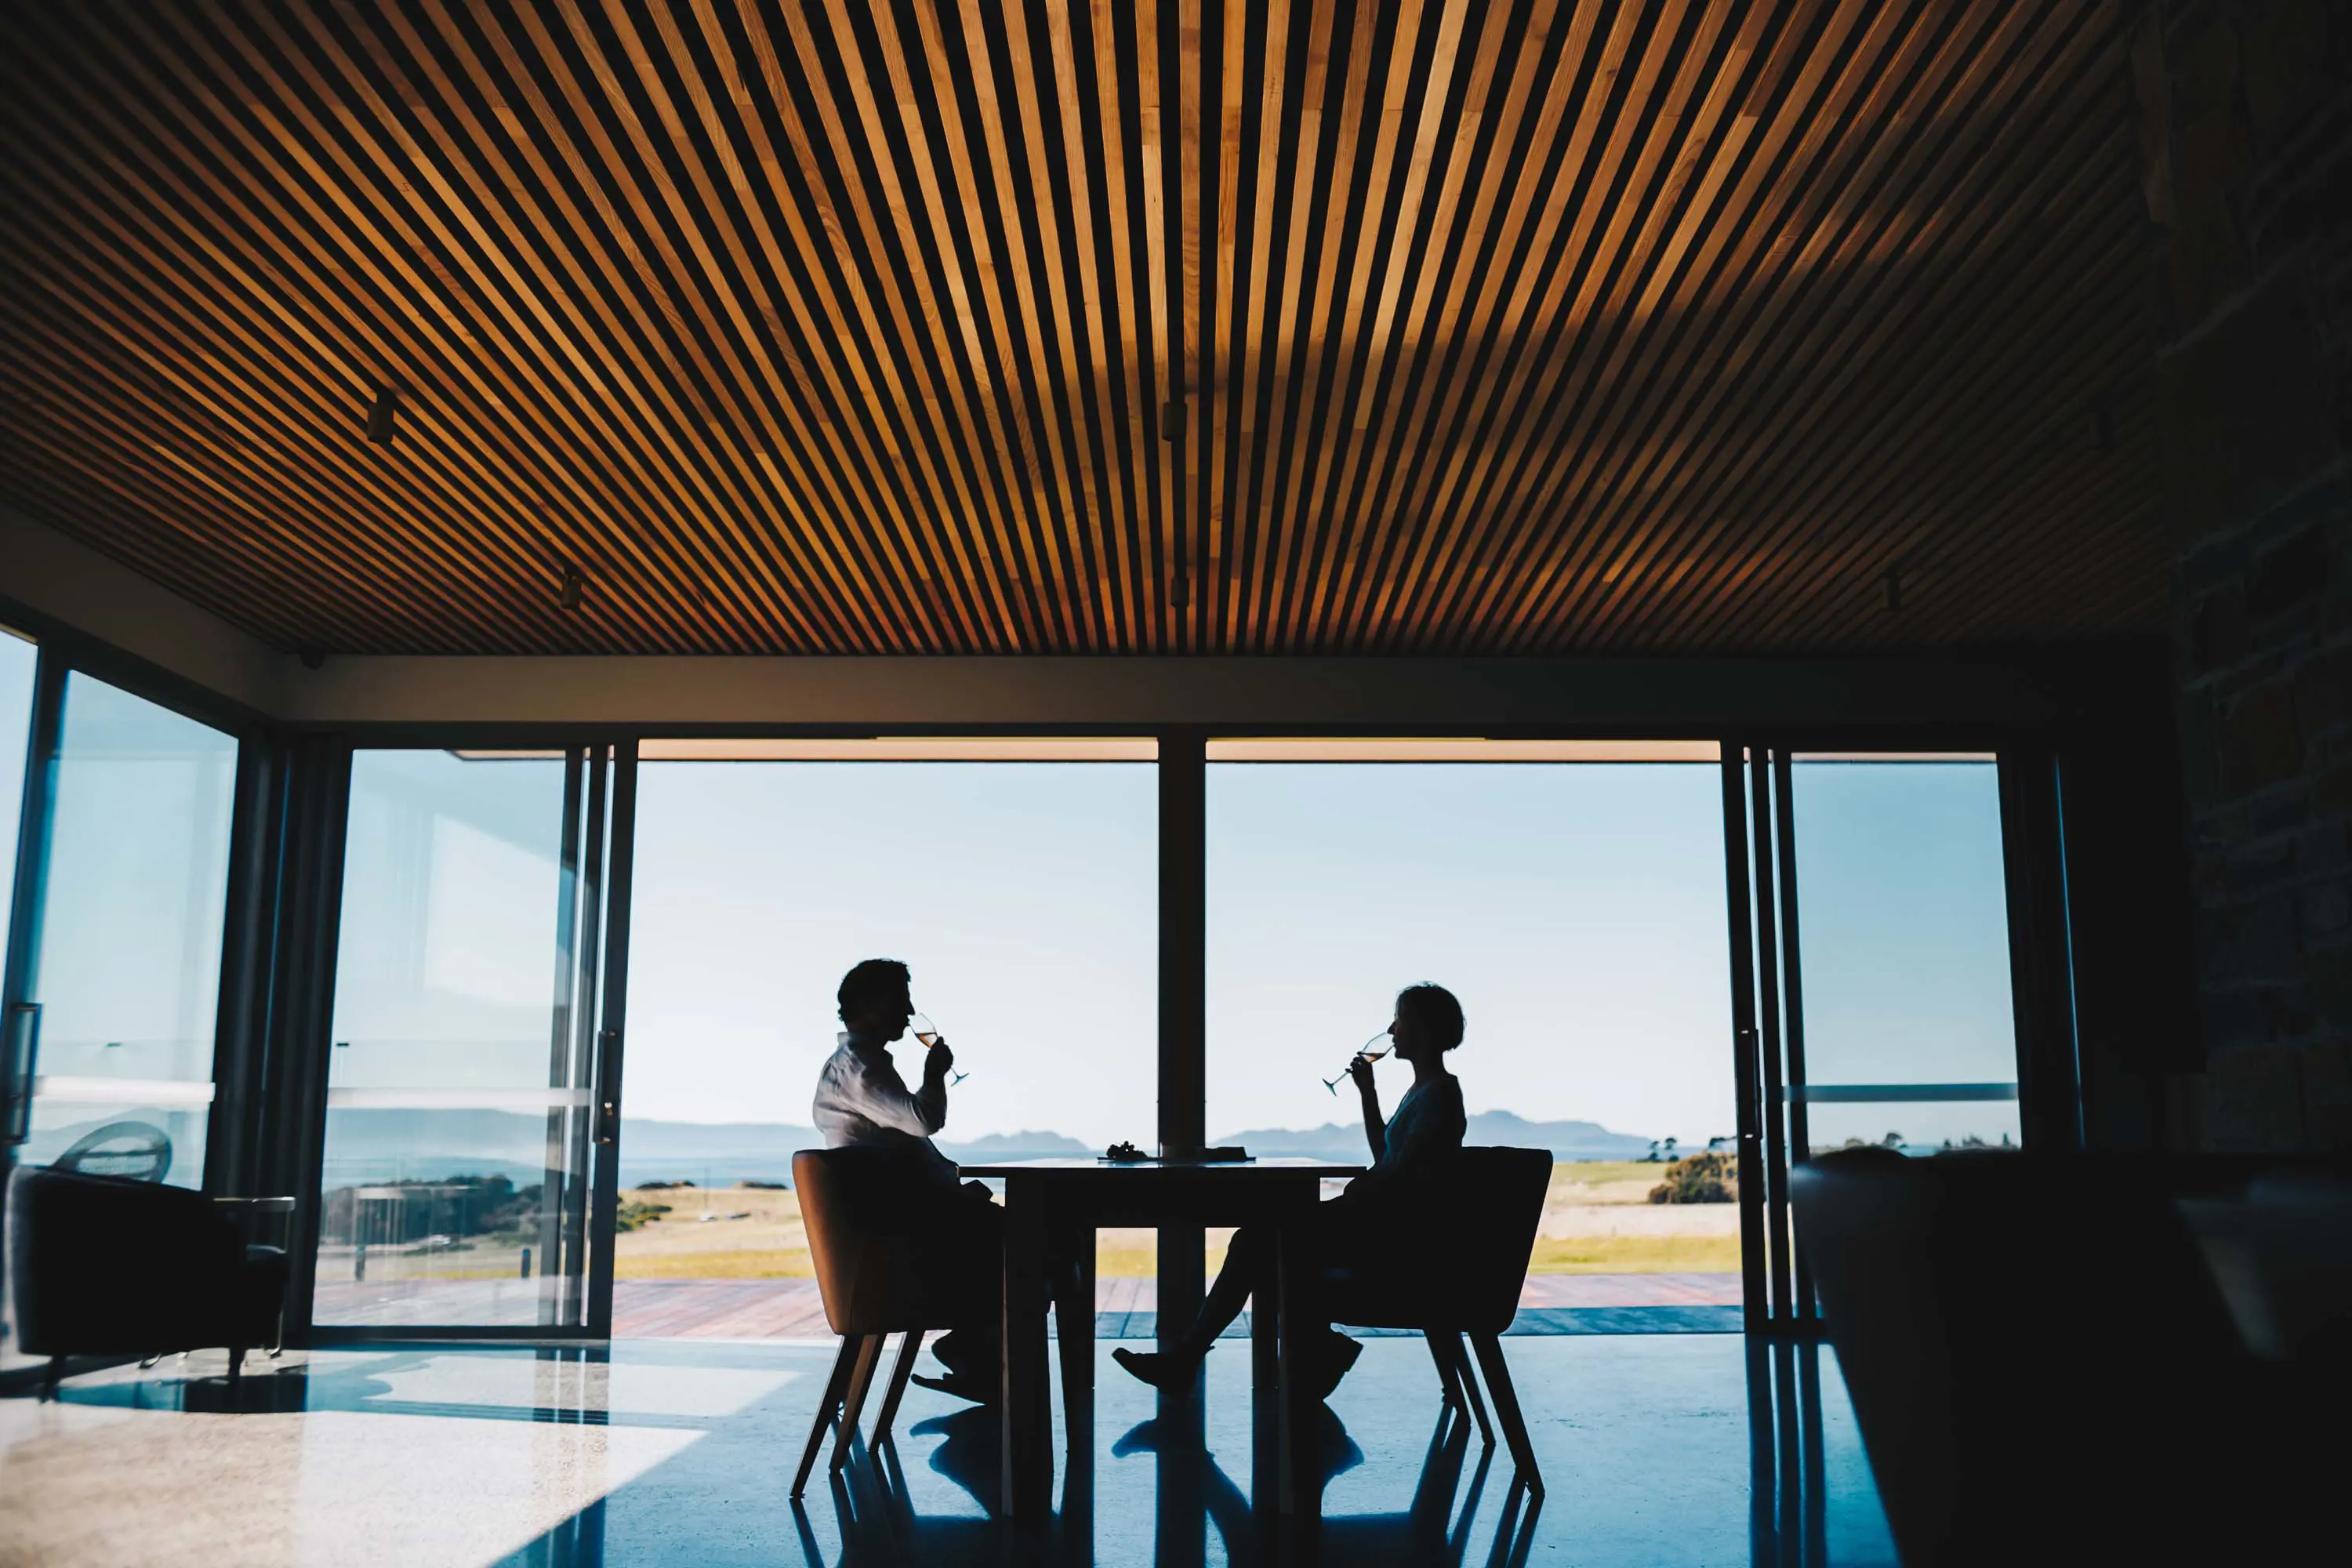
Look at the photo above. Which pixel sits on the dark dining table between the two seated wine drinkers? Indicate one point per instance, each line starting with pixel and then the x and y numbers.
pixel 1053 1209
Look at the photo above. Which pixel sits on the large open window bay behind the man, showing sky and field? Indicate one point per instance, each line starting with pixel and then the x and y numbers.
pixel 1015 878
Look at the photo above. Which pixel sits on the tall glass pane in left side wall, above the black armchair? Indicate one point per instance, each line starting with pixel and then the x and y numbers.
pixel 126 956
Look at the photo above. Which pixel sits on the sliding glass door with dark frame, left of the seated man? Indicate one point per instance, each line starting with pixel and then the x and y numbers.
pixel 467 1045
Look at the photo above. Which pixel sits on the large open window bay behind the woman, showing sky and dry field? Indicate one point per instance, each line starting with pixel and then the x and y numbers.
pixel 1572 897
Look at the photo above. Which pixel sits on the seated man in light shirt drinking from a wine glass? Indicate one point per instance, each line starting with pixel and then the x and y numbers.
pixel 864 1104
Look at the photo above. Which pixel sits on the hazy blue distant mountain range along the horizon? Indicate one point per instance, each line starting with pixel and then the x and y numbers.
pixel 434 1144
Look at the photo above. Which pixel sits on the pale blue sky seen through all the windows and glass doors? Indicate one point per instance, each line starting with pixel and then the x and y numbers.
pixel 1577 911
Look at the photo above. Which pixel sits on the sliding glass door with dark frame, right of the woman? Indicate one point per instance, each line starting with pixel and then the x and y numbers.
pixel 1873 972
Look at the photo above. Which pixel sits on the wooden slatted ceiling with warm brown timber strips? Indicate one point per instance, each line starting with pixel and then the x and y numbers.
pixel 1410 326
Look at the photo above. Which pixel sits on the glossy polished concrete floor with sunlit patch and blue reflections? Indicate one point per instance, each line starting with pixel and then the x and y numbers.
pixel 1657 1449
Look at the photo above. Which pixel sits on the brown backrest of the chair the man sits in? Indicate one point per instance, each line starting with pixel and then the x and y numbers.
pixel 862 1214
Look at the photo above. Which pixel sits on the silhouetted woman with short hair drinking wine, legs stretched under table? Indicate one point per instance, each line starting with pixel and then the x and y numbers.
pixel 1408 1151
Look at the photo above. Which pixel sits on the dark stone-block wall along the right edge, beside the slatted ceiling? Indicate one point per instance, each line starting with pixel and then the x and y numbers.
pixel 2247 156
